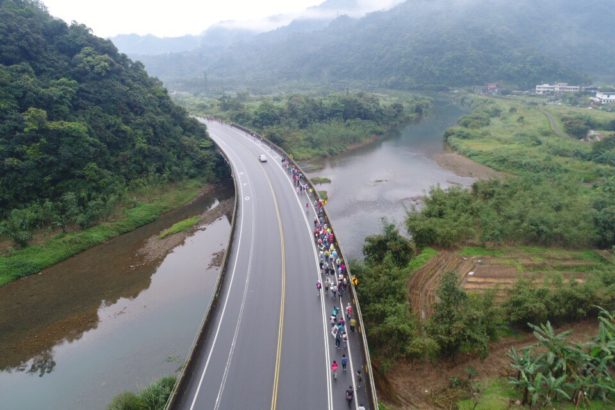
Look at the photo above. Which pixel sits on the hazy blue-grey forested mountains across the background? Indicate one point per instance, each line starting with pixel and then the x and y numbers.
pixel 418 44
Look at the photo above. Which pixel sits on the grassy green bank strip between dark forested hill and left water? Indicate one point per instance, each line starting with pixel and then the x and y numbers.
pixel 142 207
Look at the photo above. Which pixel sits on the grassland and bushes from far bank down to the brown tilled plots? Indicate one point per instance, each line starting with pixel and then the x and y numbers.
pixel 559 191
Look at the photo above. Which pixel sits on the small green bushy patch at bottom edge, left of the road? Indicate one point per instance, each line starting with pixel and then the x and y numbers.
pixel 153 397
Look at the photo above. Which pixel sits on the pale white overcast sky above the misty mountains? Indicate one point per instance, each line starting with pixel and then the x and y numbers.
pixel 178 17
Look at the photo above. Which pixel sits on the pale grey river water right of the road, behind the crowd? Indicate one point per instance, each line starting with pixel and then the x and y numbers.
pixel 383 180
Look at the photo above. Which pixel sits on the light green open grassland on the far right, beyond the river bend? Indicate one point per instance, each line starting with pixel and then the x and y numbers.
pixel 519 139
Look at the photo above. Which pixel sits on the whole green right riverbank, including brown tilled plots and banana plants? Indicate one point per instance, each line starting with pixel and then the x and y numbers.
pixel 548 228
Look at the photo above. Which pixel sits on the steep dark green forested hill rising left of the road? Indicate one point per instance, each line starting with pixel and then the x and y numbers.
pixel 80 123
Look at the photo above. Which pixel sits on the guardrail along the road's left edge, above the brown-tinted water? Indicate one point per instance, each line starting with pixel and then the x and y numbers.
pixel 200 336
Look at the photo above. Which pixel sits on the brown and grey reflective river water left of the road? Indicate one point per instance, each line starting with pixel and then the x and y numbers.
pixel 108 319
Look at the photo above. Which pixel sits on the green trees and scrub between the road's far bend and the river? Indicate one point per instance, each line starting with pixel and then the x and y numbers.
pixel 309 126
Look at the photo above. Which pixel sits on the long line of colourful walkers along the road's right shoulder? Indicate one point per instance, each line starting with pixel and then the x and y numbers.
pixel 335 280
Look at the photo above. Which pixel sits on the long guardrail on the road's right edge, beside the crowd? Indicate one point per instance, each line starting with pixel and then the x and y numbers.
pixel 372 394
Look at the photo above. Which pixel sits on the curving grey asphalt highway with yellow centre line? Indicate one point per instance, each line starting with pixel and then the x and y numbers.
pixel 268 346
